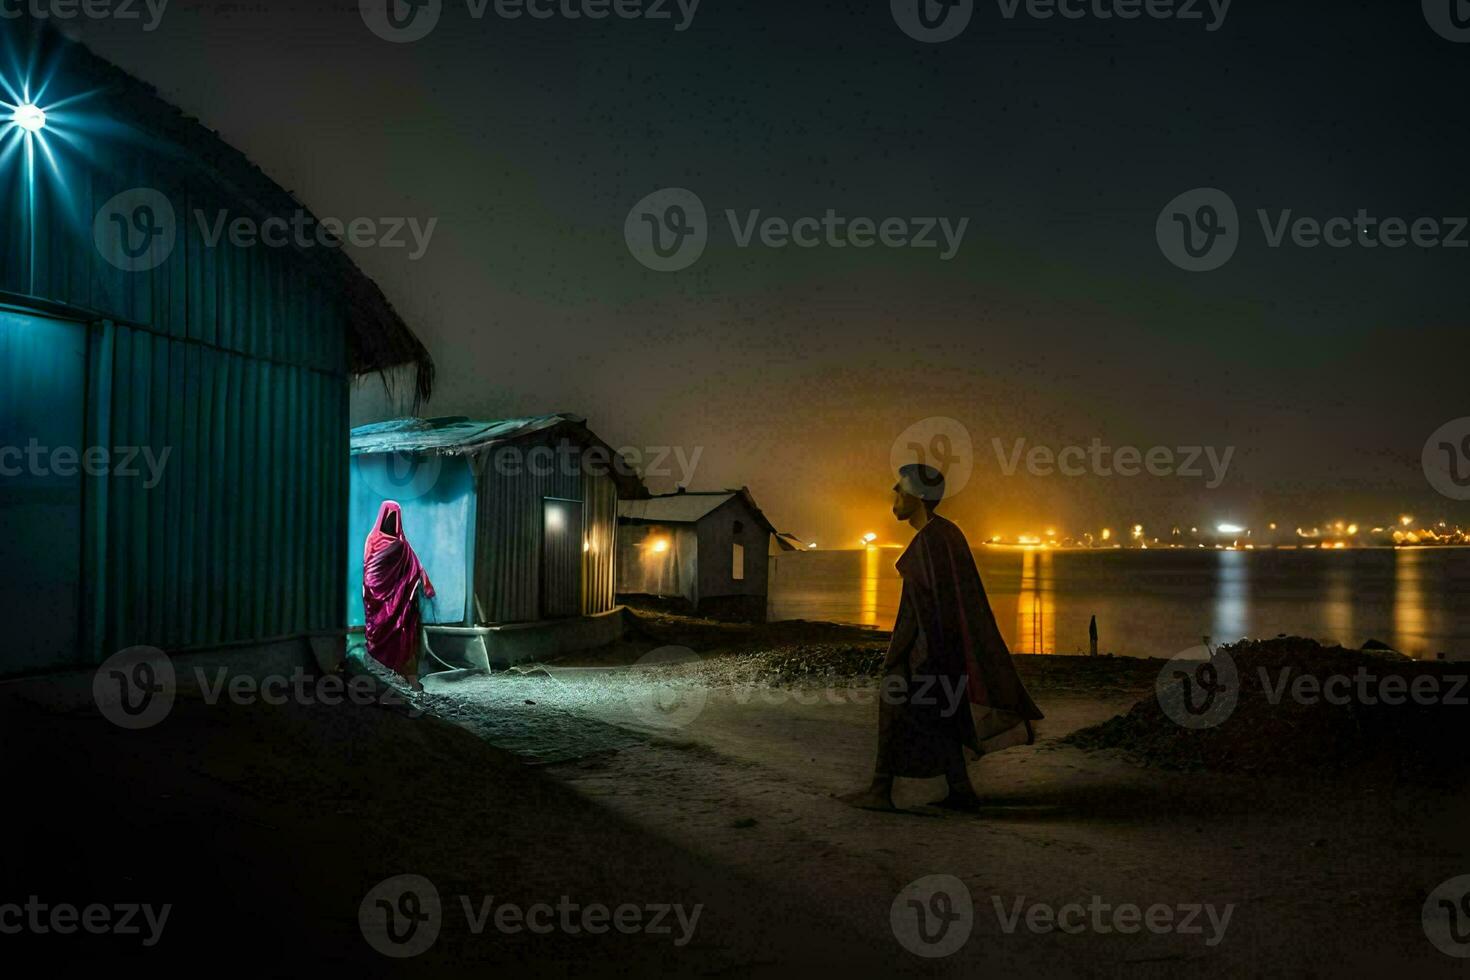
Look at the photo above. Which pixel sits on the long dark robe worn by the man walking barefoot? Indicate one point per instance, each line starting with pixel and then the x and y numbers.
pixel 950 684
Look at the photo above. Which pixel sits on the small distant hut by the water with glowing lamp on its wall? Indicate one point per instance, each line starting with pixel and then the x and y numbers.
pixel 706 549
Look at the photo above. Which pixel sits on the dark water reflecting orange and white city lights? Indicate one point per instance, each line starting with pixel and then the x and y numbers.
pixel 1159 603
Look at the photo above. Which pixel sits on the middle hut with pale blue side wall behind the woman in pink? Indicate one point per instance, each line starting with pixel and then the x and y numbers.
pixel 515 522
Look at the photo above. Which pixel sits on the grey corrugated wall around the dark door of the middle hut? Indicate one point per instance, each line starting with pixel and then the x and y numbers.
pixel 509 549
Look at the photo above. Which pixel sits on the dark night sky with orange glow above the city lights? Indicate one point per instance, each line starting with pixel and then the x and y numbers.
pixel 1058 323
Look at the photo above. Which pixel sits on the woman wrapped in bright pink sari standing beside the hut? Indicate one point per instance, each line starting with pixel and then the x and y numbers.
pixel 392 577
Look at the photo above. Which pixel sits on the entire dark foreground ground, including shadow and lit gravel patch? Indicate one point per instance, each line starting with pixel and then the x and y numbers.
pixel 267 826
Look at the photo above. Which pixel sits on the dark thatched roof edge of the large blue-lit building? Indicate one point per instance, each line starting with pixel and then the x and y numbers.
pixel 379 339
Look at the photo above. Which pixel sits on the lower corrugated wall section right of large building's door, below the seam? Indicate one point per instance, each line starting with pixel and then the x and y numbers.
pixel 245 536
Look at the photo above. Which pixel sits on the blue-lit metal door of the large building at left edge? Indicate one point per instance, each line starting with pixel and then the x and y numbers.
pixel 43 378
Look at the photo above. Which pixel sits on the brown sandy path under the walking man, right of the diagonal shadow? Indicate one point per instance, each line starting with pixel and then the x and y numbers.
pixel 1318 878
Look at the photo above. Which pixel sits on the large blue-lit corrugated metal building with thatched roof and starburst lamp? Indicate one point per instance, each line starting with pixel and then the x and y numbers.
pixel 127 336
